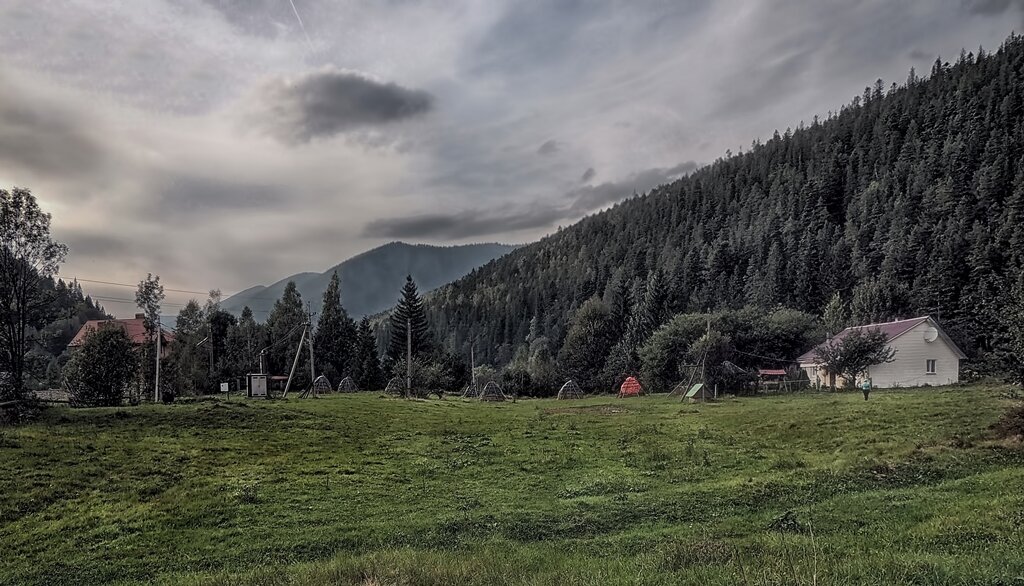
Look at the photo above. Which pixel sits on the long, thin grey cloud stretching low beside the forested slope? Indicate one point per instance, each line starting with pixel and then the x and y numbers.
pixel 489 223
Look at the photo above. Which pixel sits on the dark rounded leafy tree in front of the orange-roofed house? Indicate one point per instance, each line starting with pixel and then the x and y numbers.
pixel 103 369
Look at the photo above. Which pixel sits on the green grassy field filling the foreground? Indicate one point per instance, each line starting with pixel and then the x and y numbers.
pixel 909 488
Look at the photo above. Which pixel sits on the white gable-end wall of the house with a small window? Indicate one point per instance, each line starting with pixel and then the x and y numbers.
pixel 910 367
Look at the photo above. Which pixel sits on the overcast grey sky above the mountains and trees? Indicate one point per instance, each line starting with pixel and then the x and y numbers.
pixel 225 144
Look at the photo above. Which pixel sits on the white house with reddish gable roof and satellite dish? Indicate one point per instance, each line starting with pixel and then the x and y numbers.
pixel 925 356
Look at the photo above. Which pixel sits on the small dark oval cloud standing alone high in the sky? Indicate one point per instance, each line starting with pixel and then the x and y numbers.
pixel 329 102
